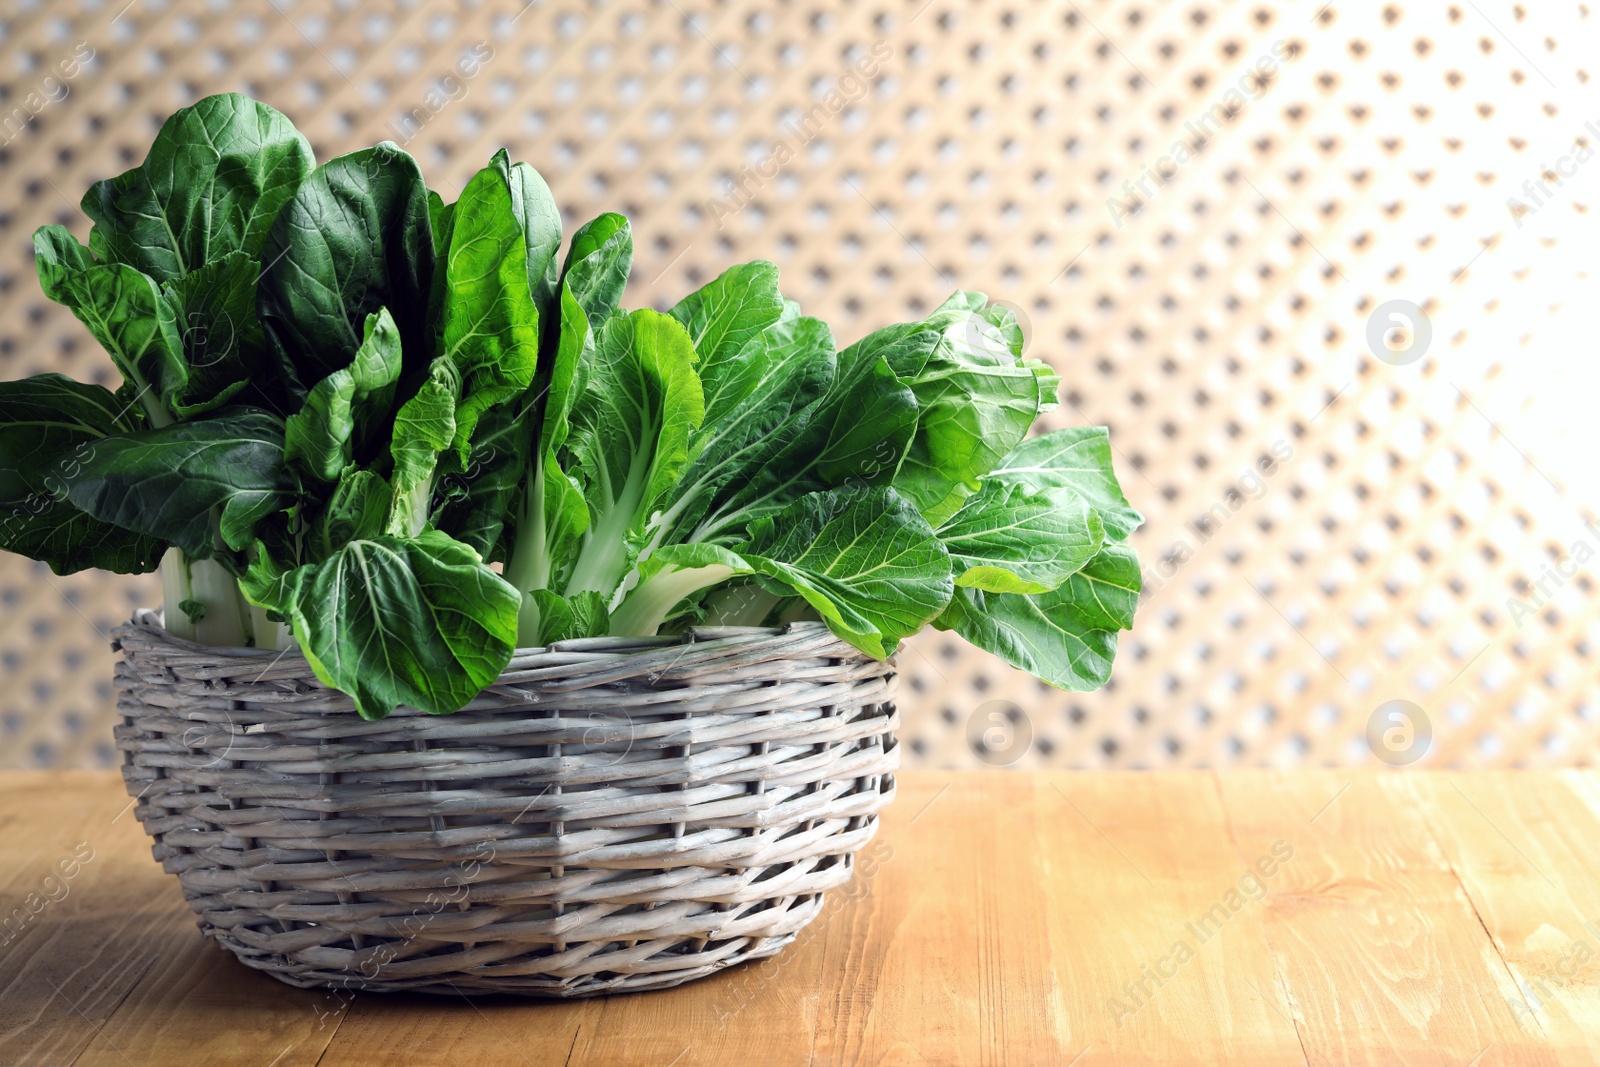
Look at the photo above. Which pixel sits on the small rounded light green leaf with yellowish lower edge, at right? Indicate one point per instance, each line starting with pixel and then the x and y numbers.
pixel 1010 538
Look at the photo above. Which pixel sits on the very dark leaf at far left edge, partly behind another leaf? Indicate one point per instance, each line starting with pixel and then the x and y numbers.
pixel 50 426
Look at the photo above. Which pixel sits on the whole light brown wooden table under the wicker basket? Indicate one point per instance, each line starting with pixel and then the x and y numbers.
pixel 1001 917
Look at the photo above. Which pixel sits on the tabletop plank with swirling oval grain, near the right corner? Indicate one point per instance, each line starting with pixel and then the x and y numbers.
pixel 1380 954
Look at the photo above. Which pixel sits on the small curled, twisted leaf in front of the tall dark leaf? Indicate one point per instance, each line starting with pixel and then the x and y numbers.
pixel 348 407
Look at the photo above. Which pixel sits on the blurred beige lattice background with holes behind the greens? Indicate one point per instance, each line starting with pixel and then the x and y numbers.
pixel 1322 268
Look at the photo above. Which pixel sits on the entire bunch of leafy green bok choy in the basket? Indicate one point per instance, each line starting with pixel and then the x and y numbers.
pixel 410 436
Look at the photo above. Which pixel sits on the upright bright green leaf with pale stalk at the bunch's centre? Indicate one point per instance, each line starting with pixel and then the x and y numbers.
pixel 630 436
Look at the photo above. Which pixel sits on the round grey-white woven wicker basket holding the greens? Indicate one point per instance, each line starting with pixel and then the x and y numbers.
pixel 612 815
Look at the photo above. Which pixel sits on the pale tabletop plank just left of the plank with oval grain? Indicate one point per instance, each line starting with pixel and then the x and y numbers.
pixel 1132 865
